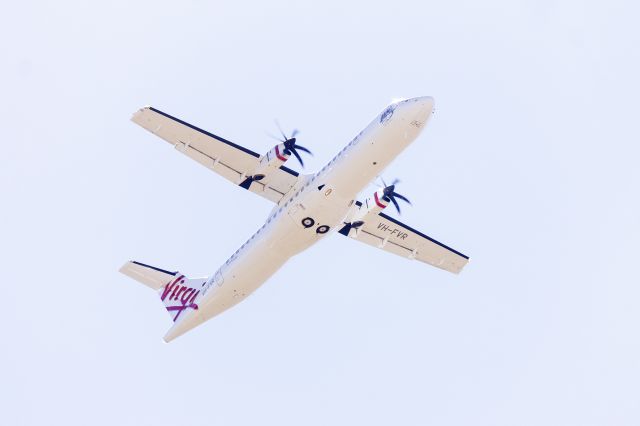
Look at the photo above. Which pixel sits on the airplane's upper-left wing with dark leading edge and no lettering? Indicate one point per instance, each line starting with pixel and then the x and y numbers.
pixel 231 161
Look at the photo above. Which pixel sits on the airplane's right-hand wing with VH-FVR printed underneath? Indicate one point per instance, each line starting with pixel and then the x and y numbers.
pixel 389 234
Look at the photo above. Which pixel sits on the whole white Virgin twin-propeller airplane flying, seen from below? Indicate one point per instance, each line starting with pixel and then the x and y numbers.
pixel 307 207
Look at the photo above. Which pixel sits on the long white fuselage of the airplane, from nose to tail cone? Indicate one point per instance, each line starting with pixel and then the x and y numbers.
pixel 324 199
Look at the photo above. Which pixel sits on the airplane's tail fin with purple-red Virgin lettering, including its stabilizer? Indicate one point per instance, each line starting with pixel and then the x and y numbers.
pixel 177 292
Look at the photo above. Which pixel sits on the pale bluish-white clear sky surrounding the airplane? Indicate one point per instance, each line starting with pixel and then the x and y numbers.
pixel 529 166
